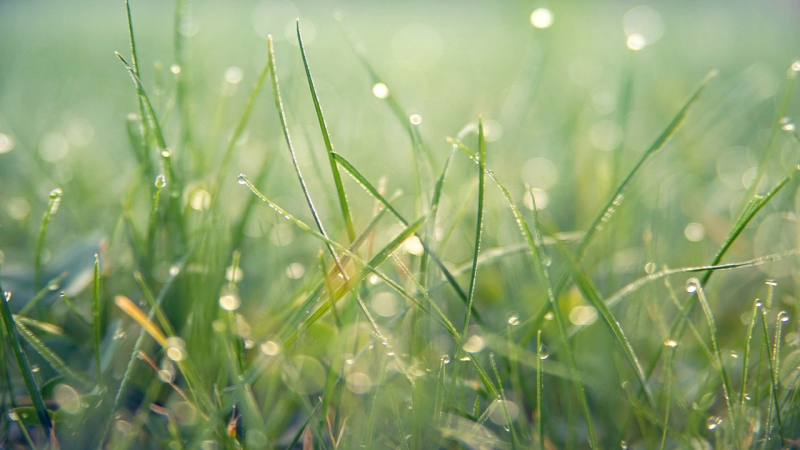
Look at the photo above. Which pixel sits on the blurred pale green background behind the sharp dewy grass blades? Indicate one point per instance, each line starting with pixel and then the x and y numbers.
pixel 568 108
